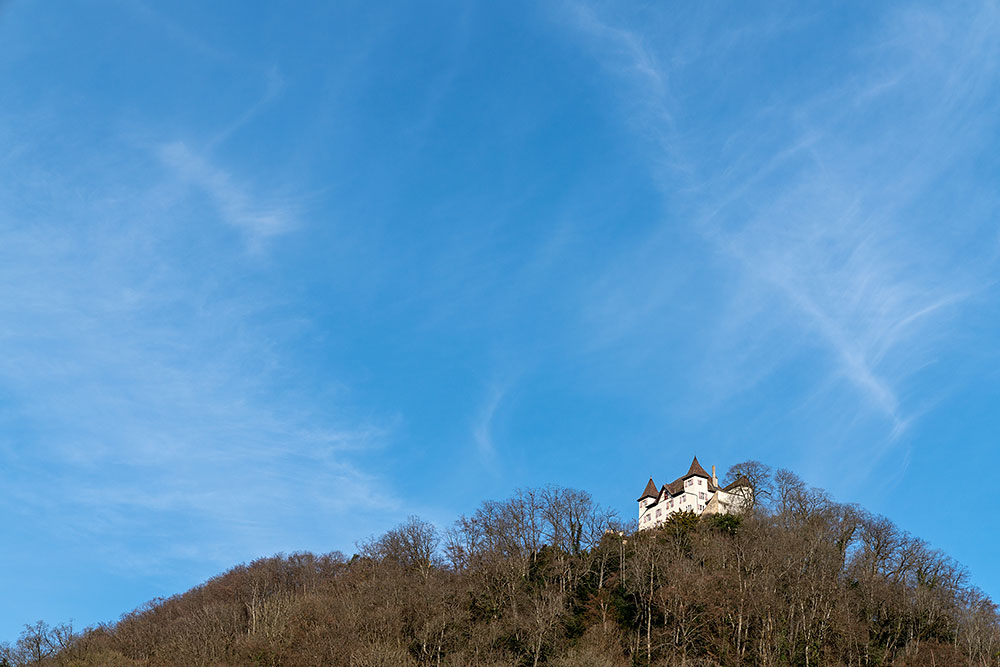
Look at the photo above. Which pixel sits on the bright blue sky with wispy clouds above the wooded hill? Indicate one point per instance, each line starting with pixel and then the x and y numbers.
pixel 273 279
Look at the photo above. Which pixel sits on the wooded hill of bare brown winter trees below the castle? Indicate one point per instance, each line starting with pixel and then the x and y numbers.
pixel 549 578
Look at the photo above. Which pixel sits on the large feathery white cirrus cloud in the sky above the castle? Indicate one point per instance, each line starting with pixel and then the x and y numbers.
pixel 824 237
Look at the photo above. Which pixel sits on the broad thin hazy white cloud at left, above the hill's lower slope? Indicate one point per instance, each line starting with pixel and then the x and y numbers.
pixel 141 396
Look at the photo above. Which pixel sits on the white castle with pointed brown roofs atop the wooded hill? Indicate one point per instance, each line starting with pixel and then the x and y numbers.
pixel 696 491
